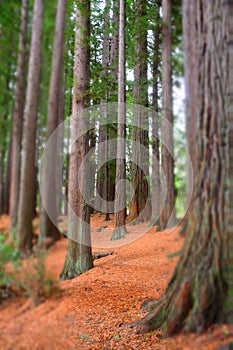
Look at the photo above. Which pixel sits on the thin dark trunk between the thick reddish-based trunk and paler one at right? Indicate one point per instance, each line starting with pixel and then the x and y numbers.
pixel 155 198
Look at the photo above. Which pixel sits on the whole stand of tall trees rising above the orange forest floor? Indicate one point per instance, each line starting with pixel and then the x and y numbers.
pixel 108 70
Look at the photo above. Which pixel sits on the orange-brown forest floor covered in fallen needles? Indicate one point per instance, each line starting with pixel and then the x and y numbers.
pixel 93 310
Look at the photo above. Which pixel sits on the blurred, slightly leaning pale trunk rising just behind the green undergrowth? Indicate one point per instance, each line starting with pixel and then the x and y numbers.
pixel 27 175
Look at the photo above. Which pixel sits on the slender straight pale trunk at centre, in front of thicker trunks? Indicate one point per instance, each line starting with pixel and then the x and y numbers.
pixel 119 217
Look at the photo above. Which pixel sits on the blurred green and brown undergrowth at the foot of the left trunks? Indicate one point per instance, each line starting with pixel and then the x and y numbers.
pixel 25 277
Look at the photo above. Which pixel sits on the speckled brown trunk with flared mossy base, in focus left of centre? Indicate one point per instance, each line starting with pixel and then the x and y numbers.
pixel 79 253
